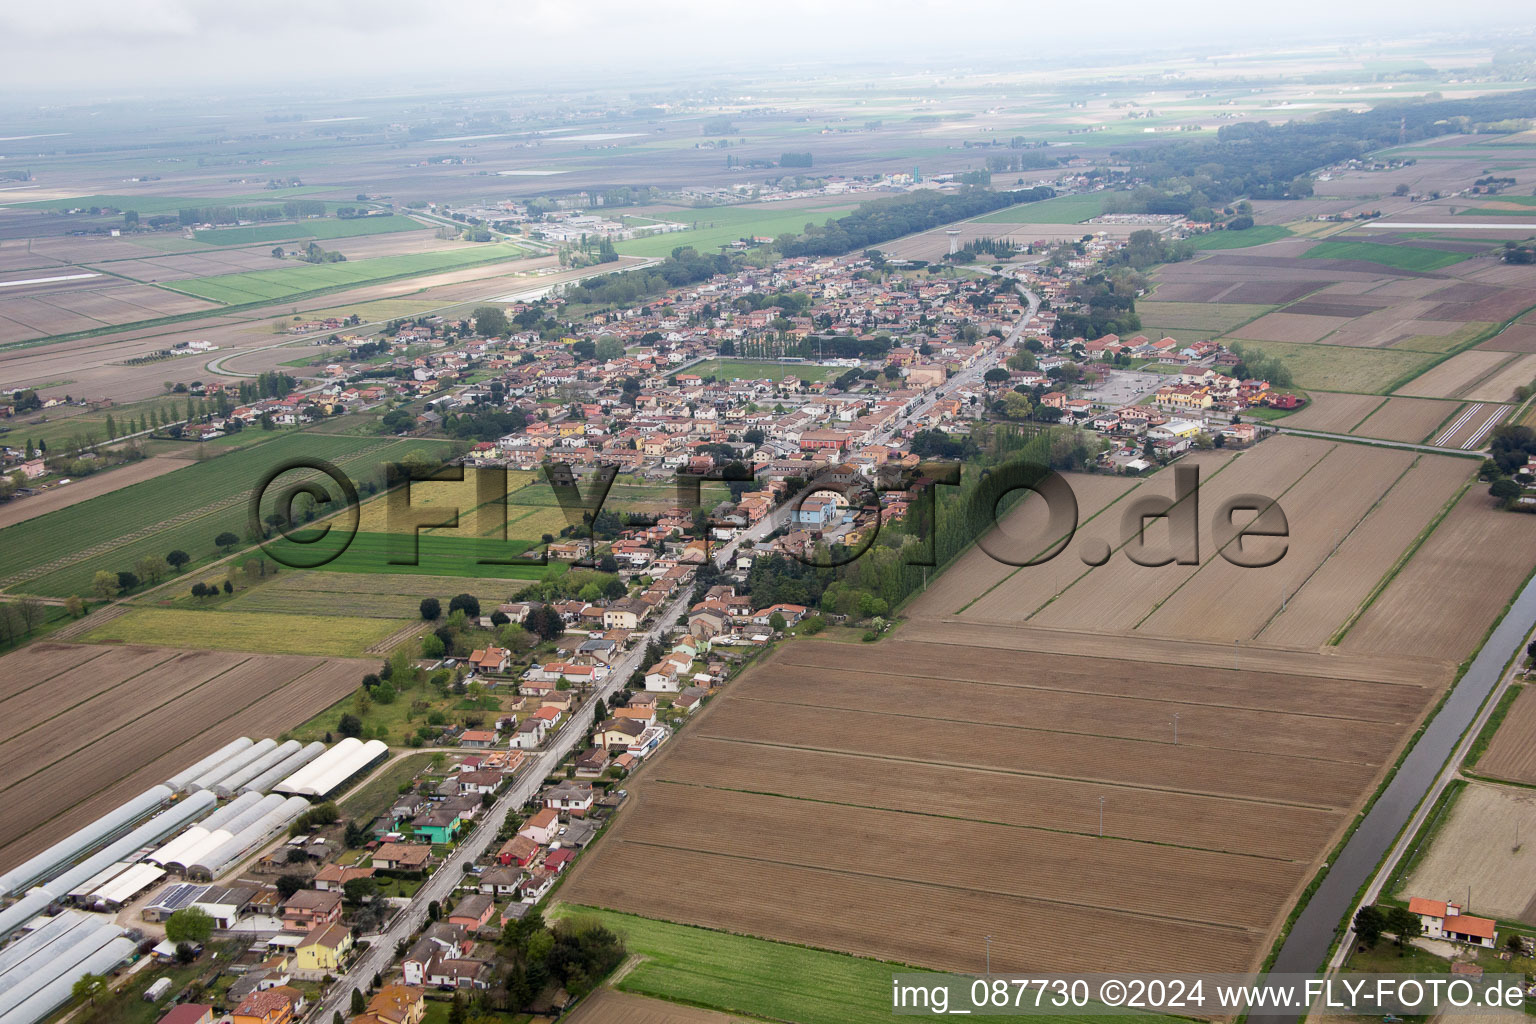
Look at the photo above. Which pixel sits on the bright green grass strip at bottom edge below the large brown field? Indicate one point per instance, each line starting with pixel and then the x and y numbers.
pixel 758 977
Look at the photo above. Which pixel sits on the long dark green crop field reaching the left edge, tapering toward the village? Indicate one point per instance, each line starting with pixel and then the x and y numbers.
pixel 184 510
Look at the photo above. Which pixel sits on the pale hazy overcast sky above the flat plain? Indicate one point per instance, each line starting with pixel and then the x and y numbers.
pixel 50 50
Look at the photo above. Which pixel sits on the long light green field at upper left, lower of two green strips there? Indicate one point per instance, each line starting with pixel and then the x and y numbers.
pixel 299 279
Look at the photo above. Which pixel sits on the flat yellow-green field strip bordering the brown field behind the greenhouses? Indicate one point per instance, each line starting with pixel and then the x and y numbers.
pixel 334 636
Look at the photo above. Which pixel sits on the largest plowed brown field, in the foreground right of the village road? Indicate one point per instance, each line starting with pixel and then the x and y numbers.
pixel 904 801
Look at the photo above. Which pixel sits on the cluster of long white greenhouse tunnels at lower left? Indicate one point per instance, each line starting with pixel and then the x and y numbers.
pixel 197 827
